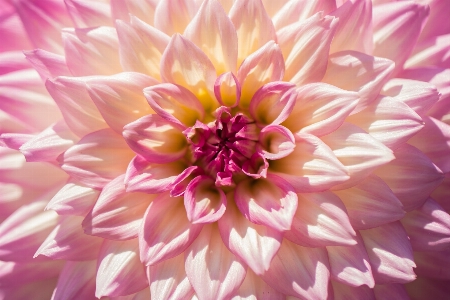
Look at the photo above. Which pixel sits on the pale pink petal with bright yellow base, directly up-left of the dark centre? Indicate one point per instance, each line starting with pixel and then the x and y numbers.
pixel 183 63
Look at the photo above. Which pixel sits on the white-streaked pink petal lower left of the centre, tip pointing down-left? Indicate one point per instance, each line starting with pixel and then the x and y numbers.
pixel 117 214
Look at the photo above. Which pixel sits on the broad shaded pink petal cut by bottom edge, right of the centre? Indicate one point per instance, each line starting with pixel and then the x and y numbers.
pixel 299 271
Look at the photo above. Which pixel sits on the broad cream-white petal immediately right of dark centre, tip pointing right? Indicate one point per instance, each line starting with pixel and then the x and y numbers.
pixel 311 167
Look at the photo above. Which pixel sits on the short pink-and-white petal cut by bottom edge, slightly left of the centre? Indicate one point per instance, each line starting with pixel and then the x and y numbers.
pixel 168 280
